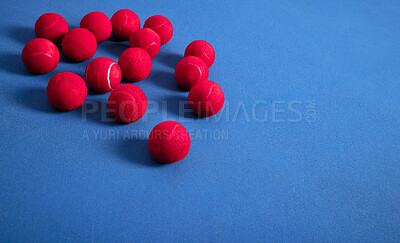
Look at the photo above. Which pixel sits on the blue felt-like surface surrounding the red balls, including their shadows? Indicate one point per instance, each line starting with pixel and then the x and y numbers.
pixel 310 139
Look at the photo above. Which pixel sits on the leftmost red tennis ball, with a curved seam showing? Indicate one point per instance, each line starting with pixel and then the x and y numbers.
pixel 40 56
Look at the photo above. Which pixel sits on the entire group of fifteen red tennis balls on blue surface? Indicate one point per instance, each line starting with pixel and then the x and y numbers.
pixel 169 141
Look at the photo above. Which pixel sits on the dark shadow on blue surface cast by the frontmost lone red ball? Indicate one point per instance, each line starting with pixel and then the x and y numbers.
pixel 135 150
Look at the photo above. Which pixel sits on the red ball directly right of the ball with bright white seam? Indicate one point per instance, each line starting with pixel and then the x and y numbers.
pixel 135 64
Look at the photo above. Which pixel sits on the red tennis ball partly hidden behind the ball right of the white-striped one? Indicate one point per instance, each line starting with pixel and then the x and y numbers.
pixel 147 39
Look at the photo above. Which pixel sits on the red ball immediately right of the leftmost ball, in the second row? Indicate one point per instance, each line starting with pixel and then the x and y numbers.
pixel 79 44
